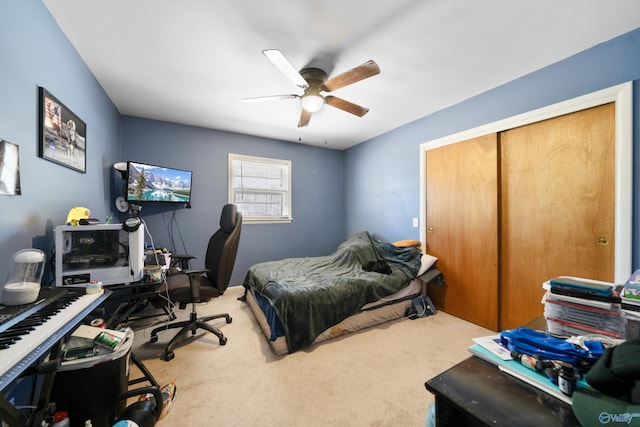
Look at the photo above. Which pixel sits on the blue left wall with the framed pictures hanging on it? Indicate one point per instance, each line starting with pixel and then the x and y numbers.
pixel 35 52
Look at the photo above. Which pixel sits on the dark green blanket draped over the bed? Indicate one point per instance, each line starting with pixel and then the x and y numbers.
pixel 310 295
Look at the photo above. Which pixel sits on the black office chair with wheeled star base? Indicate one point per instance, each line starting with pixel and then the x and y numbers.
pixel 192 286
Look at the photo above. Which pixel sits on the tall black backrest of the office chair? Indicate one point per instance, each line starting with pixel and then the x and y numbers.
pixel 223 247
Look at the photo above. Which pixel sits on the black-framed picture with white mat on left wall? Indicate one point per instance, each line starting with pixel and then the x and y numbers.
pixel 62 134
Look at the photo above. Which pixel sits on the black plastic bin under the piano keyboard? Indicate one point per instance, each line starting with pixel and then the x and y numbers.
pixel 88 388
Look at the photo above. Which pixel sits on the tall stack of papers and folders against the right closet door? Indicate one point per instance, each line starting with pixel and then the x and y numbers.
pixel 576 306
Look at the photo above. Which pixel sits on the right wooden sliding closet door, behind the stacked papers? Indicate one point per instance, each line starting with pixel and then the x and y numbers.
pixel 557 192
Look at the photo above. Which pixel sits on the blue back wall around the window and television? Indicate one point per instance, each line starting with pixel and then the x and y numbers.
pixel 317 196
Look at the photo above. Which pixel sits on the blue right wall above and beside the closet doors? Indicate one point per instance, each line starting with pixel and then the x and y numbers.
pixel 382 175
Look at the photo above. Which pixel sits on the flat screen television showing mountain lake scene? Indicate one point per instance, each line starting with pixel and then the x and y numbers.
pixel 151 183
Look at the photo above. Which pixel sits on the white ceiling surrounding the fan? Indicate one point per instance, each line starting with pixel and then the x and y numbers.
pixel 192 62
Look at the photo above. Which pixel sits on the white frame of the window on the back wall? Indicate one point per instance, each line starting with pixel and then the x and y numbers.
pixel 276 163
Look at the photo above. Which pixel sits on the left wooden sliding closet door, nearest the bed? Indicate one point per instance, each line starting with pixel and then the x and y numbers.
pixel 462 228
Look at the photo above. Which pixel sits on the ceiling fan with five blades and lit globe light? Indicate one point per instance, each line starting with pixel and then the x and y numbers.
pixel 314 82
